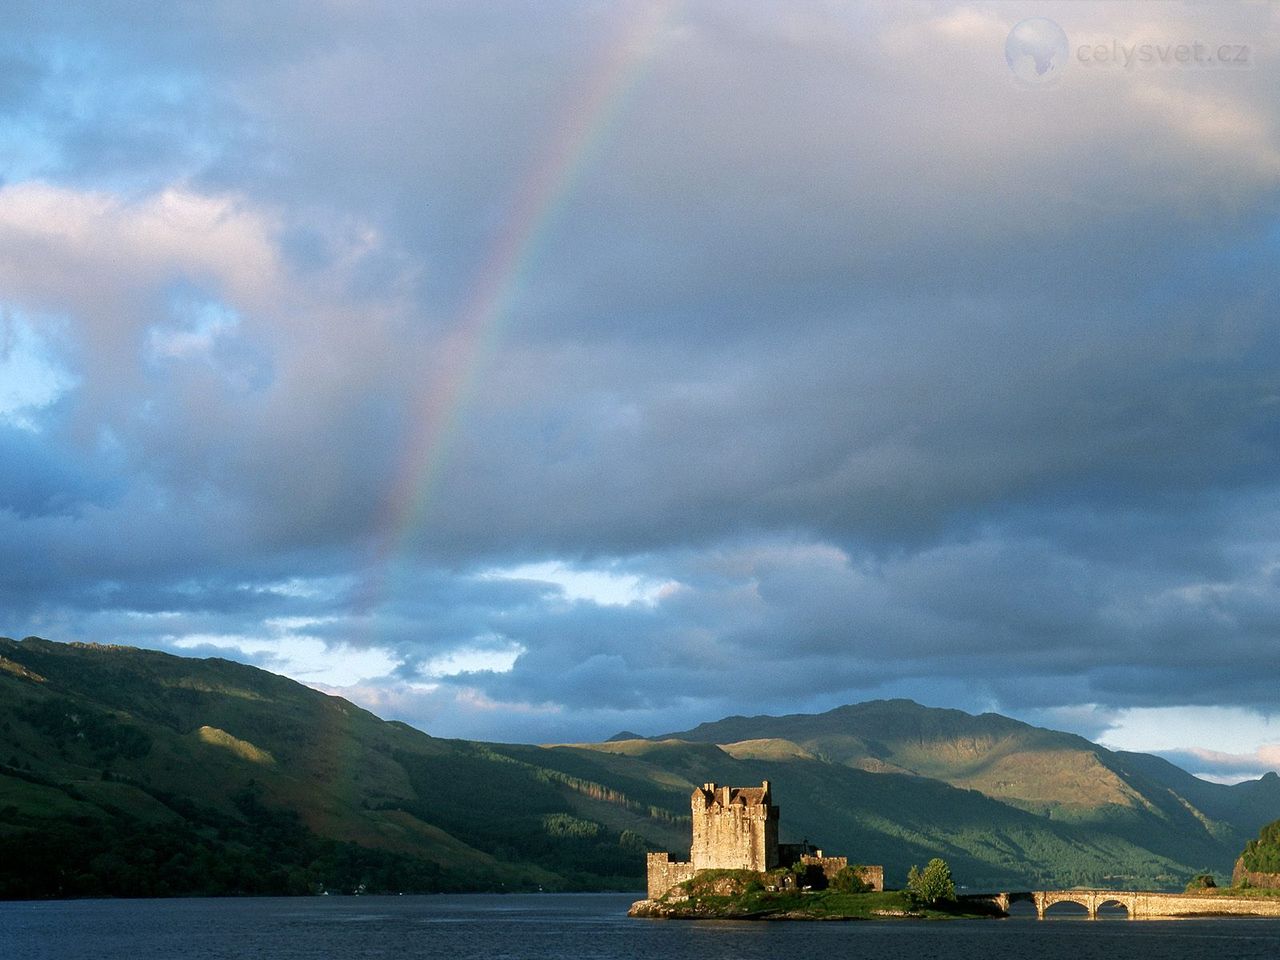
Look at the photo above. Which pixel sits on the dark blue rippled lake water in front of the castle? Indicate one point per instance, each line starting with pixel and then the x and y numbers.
pixel 583 926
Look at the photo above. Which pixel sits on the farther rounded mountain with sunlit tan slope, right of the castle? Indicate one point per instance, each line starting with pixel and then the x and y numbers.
pixel 1059 778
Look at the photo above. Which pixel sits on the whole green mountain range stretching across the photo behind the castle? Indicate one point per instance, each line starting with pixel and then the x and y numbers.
pixel 135 772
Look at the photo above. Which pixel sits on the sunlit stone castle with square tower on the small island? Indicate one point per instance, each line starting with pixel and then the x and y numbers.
pixel 737 829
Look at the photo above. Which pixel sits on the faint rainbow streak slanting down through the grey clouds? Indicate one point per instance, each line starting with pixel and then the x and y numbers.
pixel 476 336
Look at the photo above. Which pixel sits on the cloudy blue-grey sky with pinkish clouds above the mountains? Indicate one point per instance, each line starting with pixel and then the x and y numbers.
pixel 537 372
